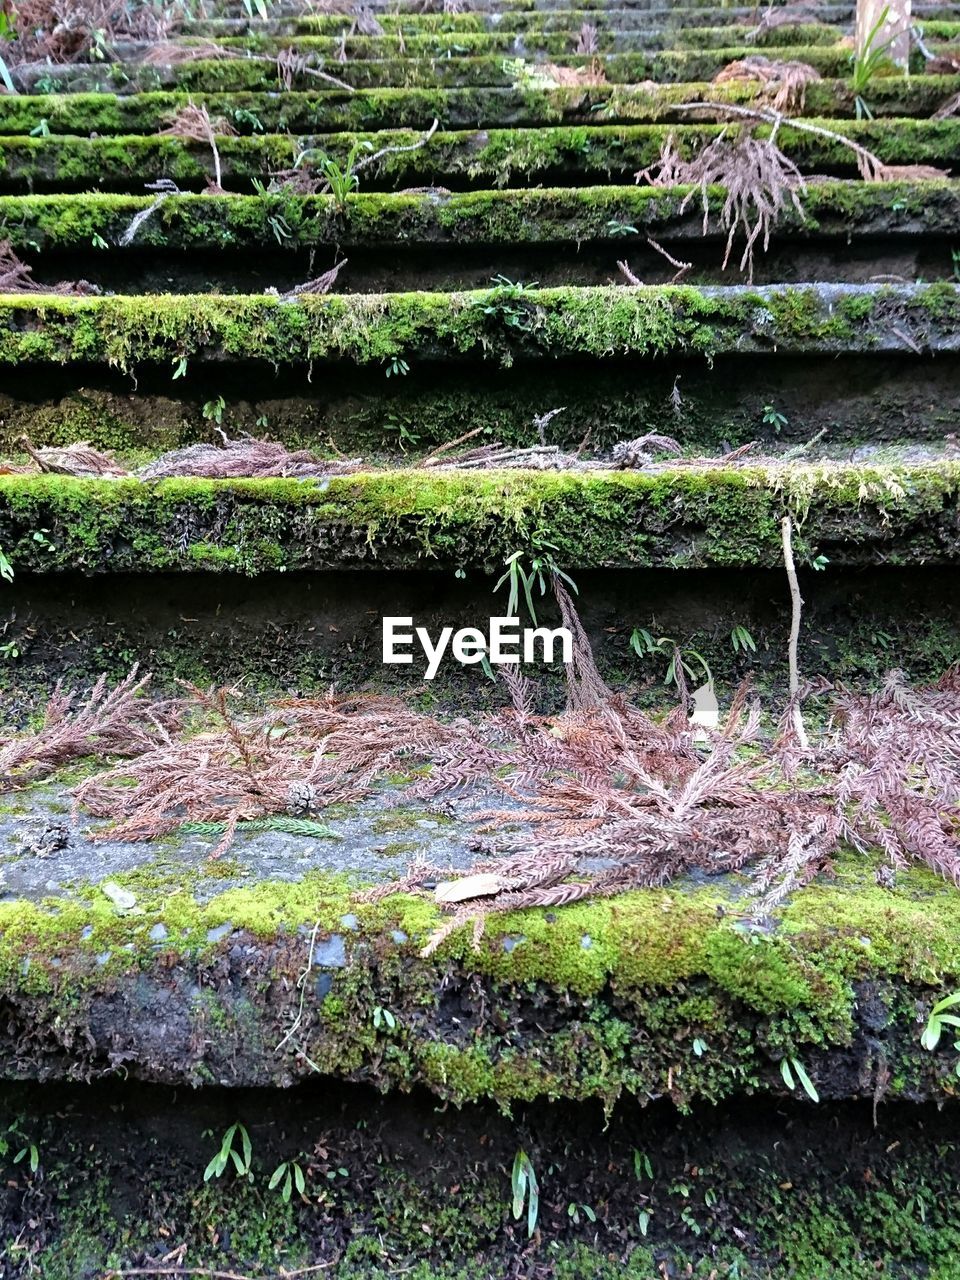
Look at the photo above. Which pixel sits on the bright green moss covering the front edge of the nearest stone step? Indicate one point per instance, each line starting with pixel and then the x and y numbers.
pixel 641 977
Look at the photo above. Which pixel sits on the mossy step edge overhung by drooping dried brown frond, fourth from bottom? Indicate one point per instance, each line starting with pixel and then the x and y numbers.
pixel 499 218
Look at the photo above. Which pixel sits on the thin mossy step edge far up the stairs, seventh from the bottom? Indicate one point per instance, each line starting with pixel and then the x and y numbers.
pixel 259 74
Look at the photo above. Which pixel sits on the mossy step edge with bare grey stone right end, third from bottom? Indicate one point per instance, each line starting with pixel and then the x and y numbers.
pixel 501 324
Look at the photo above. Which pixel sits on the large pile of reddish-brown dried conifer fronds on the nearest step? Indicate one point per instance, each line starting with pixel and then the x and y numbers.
pixel 596 802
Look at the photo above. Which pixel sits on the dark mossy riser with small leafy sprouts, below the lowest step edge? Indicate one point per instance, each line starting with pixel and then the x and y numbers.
pixel 404 1187
